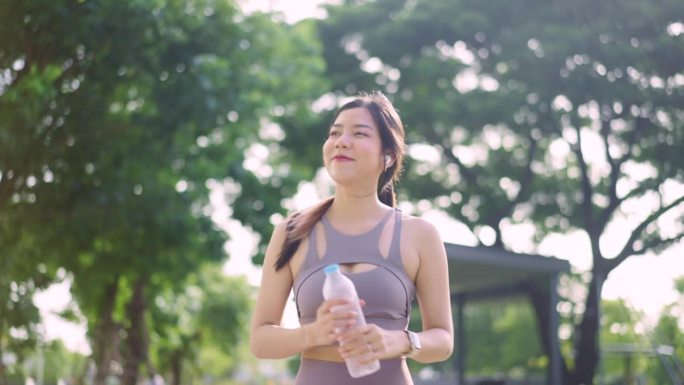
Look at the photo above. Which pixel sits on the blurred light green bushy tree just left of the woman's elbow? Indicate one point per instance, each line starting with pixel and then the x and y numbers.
pixel 197 332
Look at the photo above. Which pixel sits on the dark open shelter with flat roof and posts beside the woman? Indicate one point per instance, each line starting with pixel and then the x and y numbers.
pixel 477 273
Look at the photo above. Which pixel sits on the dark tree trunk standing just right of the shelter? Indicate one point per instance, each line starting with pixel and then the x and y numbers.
pixel 587 343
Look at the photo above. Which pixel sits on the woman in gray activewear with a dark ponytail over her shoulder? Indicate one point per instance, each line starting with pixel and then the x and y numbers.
pixel 390 257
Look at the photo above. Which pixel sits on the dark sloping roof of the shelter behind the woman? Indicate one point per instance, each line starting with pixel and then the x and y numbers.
pixel 482 269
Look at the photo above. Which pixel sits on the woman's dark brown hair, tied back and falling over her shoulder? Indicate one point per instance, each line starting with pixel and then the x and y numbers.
pixel 391 132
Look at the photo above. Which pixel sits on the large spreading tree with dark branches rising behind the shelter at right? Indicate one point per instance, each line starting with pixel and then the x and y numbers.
pixel 534 113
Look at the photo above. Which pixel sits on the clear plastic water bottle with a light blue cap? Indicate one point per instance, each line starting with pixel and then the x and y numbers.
pixel 337 286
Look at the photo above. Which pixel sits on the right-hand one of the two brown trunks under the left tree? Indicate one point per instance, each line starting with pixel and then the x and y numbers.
pixel 136 352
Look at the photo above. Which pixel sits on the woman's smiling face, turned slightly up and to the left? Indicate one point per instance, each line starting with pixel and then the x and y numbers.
pixel 352 153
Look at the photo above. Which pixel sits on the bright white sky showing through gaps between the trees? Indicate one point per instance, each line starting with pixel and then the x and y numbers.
pixel 646 282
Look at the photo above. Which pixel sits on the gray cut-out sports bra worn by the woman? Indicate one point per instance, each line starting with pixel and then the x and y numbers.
pixel 387 289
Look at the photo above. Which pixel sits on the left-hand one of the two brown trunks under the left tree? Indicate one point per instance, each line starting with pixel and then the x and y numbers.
pixel 105 335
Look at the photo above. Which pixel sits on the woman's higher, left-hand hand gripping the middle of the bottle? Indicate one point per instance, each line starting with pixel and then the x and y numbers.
pixel 333 314
